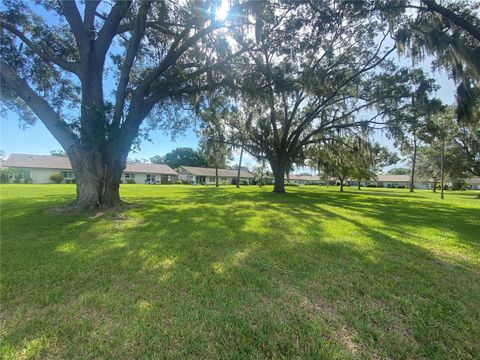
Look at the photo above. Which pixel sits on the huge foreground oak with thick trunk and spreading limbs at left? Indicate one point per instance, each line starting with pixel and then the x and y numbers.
pixel 93 72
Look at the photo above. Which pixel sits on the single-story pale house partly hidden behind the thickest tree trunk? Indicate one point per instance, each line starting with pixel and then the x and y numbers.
pixel 38 169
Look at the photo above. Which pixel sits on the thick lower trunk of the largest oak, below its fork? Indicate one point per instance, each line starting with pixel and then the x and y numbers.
pixel 97 180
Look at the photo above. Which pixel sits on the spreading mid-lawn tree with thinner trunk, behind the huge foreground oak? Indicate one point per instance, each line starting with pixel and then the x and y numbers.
pixel 318 67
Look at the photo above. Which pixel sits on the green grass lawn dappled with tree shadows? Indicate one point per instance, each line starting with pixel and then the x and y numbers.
pixel 199 272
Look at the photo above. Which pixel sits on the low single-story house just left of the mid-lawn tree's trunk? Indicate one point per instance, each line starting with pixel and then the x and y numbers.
pixel 201 175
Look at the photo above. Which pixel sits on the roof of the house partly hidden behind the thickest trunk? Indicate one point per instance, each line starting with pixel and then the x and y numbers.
pixel 63 163
